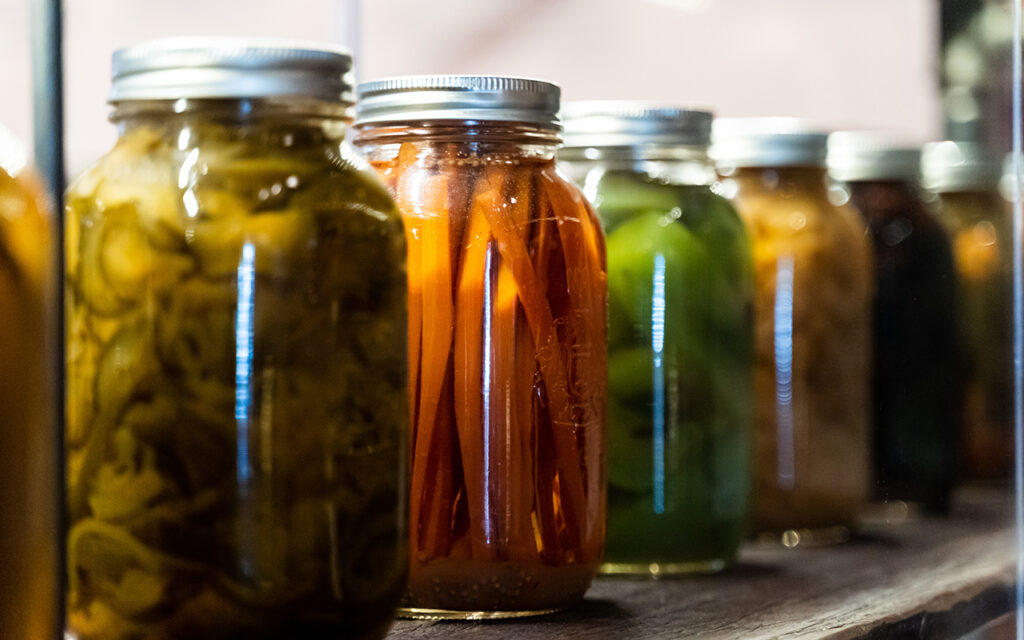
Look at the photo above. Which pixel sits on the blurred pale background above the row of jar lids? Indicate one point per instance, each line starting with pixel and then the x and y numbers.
pixel 918 67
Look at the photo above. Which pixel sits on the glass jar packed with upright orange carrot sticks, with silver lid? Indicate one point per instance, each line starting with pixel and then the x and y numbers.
pixel 507 345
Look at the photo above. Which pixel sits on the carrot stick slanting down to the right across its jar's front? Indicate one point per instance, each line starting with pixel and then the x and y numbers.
pixel 514 251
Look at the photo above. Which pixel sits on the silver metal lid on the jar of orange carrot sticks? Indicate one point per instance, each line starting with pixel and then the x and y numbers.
pixel 422 99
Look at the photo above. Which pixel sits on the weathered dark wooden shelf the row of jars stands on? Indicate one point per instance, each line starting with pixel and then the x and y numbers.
pixel 919 578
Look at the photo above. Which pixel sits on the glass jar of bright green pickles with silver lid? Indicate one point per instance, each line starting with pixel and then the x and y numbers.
pixel 680 337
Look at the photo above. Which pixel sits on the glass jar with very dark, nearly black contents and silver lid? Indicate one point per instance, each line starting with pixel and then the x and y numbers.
pixel 917 403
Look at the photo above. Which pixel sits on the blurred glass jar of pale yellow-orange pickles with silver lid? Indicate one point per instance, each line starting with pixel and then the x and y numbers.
pixel 813 308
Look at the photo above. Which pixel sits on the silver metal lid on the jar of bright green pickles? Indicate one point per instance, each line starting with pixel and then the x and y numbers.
pixel 627 123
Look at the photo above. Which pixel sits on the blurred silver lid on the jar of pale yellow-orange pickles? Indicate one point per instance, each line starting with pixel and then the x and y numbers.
pixel 767 143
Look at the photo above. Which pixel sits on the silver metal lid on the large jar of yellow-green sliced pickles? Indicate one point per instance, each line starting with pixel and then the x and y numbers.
pixel 231 68
